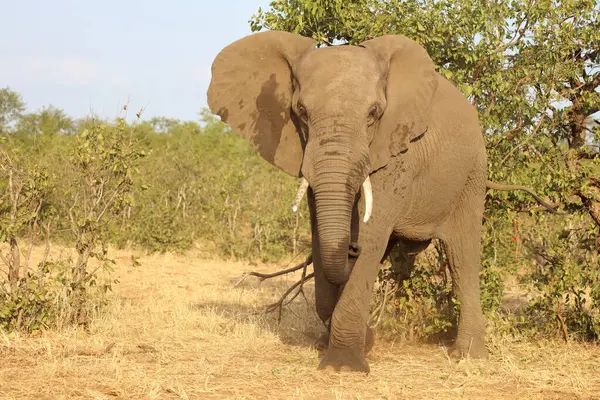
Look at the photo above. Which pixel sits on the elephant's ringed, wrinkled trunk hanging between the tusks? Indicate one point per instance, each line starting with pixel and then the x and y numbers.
pixel 337 164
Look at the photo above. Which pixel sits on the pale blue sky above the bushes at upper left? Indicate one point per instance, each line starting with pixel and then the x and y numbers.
pixel 83 56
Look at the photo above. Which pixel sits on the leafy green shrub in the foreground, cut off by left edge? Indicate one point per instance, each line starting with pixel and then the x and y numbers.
pixel 27 301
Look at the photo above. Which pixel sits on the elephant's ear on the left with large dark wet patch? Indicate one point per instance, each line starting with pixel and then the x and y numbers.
pixel 251 90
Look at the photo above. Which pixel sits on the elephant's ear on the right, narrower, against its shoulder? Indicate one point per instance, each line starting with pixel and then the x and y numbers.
pixel 411 84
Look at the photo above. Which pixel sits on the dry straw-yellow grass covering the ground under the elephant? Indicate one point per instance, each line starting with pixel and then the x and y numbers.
pixel 177 328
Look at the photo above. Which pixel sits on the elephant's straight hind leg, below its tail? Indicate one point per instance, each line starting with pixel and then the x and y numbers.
pixel 462 242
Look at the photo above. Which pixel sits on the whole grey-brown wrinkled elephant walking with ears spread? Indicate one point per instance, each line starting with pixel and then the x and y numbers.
pixel 336 115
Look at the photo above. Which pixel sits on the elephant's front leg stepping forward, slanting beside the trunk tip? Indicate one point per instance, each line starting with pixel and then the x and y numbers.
pixel 349 335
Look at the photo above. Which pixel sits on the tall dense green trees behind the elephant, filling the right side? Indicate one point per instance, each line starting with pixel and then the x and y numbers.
pixel 532 70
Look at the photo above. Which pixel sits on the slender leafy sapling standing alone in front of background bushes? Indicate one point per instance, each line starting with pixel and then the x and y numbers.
pixel 104 160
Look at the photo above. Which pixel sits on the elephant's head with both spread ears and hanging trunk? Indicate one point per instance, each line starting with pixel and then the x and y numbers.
pixel 331 115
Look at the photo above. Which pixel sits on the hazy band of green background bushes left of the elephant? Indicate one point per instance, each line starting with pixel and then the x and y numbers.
pixel 198 184
